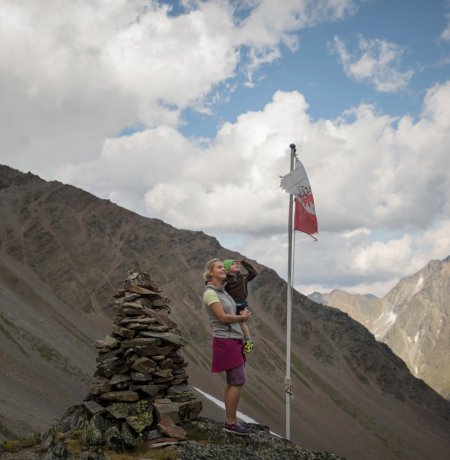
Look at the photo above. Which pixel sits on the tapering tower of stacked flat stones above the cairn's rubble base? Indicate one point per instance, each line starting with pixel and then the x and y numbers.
pixel 140 364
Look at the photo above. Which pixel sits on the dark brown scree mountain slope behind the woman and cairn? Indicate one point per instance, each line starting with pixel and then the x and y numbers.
pixel 63 254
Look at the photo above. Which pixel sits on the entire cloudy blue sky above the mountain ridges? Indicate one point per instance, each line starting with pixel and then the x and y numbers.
pixel 185 110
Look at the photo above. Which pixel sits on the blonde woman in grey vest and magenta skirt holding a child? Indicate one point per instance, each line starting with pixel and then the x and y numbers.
pixel 227 341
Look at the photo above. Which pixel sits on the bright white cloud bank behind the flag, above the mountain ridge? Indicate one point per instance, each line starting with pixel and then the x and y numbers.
pixel 378 184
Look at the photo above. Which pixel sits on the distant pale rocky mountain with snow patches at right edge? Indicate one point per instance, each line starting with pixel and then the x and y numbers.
pixel 413 319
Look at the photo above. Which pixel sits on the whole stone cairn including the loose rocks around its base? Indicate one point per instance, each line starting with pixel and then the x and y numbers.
pixel 140 388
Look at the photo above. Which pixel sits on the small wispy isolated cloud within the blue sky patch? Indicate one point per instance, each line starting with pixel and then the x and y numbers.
pixel 377 62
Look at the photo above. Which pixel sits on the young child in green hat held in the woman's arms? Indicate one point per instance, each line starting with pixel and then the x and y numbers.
pixel 236 286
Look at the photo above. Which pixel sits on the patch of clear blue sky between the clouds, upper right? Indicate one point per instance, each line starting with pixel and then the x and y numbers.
pixel 416 26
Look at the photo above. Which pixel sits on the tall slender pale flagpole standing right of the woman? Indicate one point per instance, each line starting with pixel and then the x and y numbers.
pixel 287 381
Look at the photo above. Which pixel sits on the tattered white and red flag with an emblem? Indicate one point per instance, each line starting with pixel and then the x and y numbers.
pixel 297 184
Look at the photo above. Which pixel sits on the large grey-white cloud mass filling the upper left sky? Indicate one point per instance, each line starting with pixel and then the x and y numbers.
pixel 75 73
